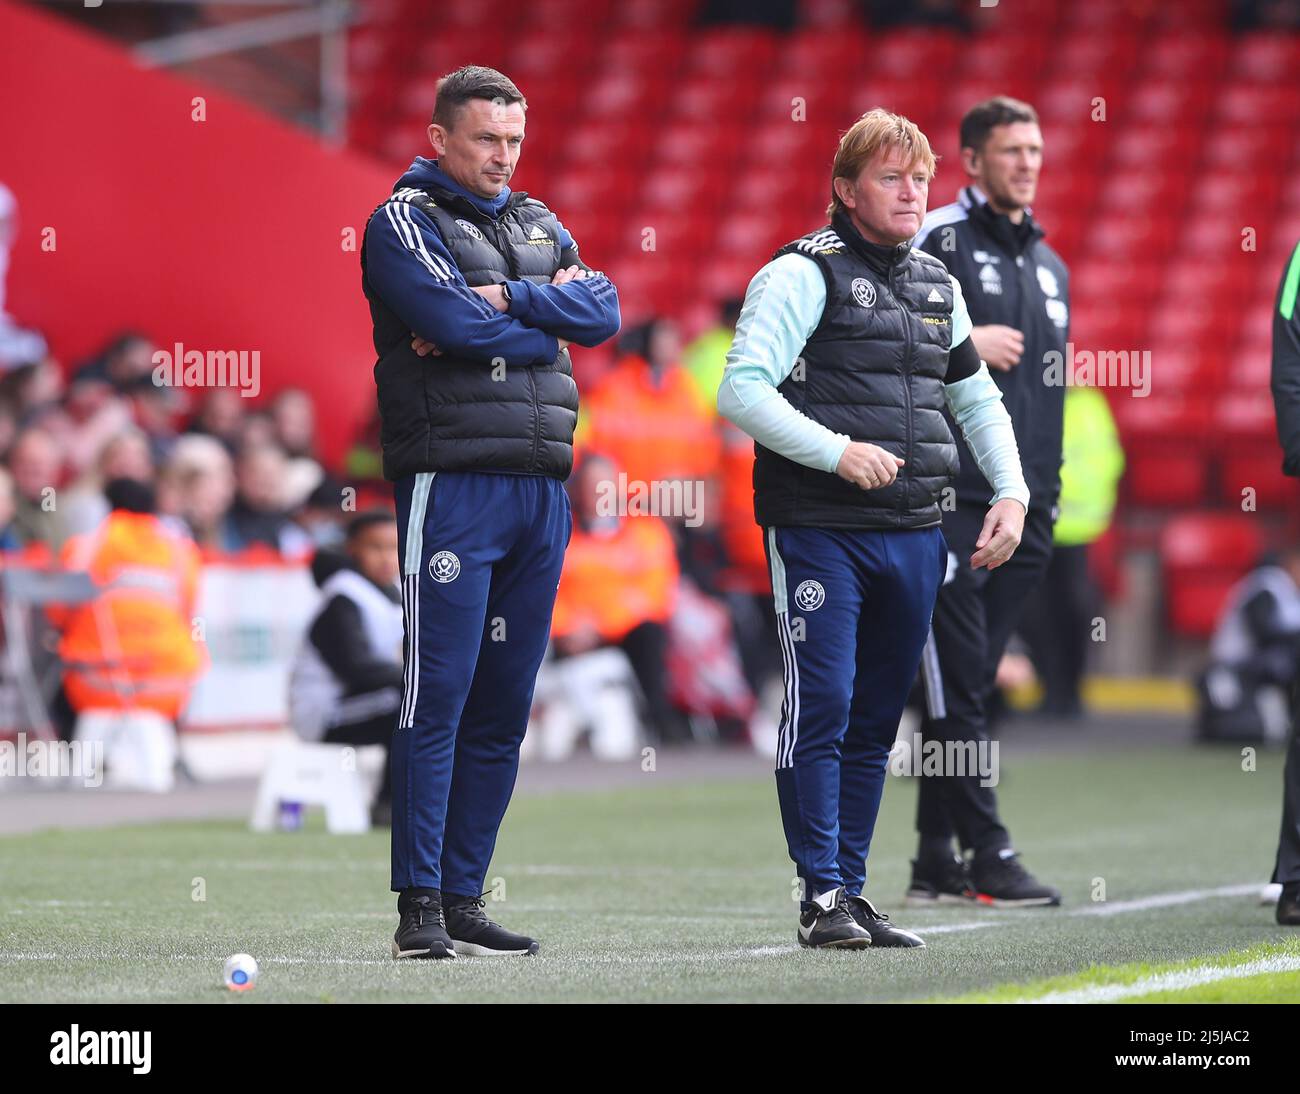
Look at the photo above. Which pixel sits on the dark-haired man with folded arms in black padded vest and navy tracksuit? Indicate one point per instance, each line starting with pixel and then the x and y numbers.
pixel 478 418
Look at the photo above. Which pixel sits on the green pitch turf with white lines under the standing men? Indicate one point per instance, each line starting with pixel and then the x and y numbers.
pixel 675 891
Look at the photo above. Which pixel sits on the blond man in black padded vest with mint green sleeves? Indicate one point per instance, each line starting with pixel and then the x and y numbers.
pixel 848 349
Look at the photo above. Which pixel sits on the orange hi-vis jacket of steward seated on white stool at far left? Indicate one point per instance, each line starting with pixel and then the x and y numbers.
pixel 133 646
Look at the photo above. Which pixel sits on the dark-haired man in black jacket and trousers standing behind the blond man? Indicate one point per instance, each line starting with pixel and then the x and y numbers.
pixel 1017 290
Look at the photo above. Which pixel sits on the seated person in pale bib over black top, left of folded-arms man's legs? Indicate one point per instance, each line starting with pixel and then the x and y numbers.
pixel 346 681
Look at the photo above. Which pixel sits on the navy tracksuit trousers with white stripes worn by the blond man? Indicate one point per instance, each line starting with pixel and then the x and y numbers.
pixel 853 610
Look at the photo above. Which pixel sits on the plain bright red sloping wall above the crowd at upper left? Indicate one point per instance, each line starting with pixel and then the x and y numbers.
pixel 223 235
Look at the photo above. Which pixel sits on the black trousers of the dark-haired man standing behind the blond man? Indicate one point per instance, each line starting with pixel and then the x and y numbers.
pixel 974 618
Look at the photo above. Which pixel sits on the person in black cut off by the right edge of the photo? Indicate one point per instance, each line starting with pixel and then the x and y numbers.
pixel 1286 400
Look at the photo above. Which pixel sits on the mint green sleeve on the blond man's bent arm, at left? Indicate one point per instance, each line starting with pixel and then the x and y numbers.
pixel 783 307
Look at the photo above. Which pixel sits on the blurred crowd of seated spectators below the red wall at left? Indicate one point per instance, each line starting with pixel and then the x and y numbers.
pixel 232 476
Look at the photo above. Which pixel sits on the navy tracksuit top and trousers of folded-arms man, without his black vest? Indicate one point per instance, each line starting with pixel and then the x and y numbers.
pixel 482 555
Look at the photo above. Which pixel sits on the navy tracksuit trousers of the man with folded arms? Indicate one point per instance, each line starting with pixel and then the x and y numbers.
pixel 482 555
